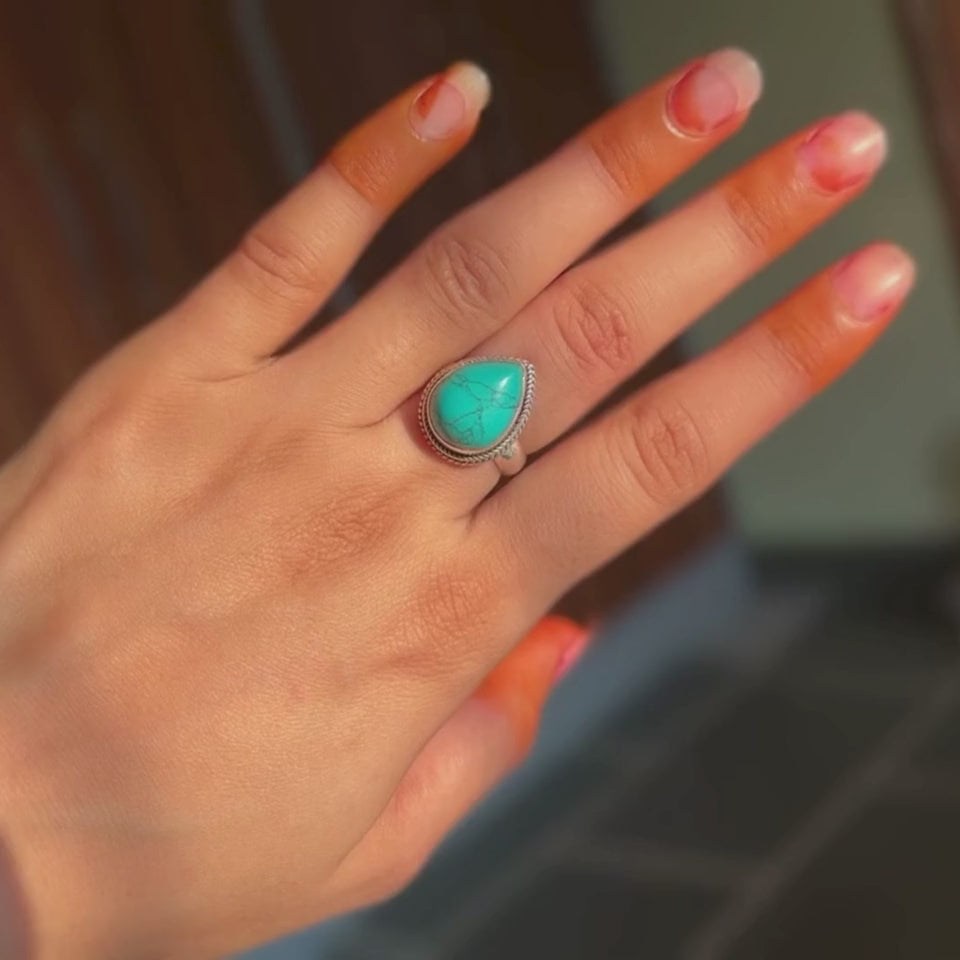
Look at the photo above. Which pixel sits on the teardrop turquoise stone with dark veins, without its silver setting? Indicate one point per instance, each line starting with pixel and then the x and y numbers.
pixel 475 405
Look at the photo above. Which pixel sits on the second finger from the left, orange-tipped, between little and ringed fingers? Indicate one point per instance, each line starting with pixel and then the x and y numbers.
pixel 483 266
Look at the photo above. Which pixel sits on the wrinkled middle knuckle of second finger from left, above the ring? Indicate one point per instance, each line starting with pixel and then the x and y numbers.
pixel 468 277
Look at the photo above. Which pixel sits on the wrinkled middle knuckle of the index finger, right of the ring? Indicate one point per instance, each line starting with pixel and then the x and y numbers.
pixel 665 453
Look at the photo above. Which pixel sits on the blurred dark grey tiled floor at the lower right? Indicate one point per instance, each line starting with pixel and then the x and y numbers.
pixel 737 789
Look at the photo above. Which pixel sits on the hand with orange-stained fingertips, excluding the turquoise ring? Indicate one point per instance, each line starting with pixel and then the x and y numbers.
pixel 248 614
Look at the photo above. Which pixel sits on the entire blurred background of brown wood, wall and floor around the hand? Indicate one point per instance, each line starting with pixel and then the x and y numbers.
pixel 760 757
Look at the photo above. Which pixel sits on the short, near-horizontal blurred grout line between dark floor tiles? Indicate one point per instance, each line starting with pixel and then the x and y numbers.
pixel 658 863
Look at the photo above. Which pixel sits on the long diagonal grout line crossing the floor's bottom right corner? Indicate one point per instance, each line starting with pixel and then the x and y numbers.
pixel 828 819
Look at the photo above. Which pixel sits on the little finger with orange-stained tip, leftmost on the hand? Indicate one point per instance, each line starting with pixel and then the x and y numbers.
pixel 292 260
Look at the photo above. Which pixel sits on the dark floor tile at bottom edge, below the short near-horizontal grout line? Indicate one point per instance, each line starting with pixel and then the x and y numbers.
pixel 573 914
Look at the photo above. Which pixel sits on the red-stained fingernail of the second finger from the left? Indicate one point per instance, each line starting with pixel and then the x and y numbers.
pixel 714 91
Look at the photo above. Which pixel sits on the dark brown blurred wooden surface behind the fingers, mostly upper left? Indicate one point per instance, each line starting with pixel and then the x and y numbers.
pixel 140 140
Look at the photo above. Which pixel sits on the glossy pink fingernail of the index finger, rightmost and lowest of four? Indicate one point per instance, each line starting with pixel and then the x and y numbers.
pixel 872 283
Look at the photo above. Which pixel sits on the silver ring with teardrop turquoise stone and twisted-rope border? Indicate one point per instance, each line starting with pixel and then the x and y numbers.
pixel 473 411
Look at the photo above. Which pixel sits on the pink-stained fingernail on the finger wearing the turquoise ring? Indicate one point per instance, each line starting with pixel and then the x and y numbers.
pixel 844 152
